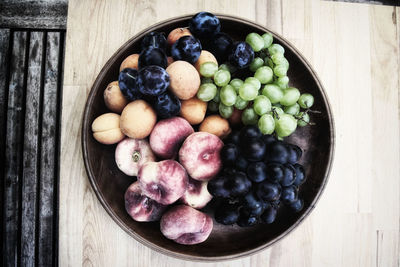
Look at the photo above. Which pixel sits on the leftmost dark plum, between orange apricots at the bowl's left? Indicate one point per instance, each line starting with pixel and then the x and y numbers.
pixel 127 81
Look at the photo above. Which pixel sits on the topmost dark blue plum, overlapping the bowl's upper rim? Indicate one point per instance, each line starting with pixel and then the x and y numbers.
pixel 204 24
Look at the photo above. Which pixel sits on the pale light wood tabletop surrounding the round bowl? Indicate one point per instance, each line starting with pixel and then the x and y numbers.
pixel 354 48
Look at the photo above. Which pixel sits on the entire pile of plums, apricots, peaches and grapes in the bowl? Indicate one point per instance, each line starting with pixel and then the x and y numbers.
pixel 173 111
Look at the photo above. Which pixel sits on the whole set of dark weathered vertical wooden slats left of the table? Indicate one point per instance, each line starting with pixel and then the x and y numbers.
pixel 31 66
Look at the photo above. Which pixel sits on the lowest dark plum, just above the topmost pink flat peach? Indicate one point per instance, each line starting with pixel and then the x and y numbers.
pixel 167 105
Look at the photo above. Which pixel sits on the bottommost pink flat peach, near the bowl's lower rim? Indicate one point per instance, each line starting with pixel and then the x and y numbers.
pixel 186 225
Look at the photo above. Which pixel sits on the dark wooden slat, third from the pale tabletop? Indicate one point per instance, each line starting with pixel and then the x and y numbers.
pixel 13 151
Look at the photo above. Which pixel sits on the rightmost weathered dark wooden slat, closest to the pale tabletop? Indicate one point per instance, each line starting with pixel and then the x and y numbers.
pixel 49 159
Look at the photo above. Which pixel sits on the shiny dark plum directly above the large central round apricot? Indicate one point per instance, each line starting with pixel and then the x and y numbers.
pixel 187 48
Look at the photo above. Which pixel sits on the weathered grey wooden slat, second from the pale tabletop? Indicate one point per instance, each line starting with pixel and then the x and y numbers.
pixel 31 154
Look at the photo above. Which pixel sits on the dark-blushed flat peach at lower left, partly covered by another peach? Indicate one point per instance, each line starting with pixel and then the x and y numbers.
pixel 140 207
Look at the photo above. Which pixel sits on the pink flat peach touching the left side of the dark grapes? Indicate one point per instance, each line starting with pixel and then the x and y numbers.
pixel 200 155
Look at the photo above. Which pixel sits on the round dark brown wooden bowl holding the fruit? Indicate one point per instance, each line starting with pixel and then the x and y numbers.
pixel 225 242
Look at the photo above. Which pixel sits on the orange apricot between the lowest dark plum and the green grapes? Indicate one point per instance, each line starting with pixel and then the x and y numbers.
pixel 193 110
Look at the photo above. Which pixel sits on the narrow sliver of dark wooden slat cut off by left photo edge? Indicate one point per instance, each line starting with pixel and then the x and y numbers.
pixel 4 65
